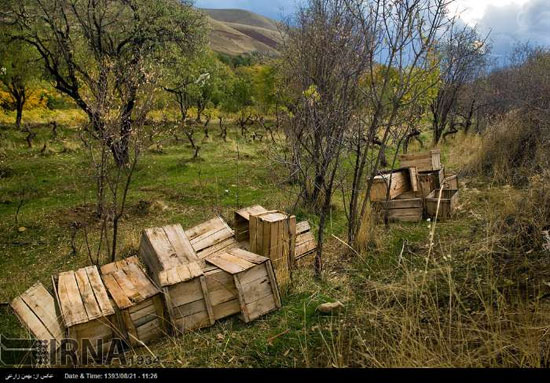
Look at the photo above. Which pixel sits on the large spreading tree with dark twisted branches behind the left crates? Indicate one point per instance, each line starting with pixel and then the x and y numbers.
pixel 105 55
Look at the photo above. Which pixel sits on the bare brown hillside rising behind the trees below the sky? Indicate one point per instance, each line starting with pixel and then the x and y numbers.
pixel 235 32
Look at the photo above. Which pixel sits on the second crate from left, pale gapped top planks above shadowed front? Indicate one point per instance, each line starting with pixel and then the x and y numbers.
pixel 85 307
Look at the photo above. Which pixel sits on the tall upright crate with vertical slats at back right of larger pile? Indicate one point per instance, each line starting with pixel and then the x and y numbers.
pixel 273 235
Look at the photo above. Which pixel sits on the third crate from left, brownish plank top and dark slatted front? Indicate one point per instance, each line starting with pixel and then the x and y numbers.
pixel 139 302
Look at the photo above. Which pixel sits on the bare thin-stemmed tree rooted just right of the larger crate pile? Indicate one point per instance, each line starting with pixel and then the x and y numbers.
pixel 325 58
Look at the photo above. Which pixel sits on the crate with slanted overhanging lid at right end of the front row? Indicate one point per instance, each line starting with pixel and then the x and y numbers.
pixel 254 280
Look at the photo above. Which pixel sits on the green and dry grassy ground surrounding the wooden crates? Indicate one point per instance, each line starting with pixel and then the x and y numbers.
pixel 463 305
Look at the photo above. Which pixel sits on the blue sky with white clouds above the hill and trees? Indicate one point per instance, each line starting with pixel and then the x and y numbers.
pixel 508 22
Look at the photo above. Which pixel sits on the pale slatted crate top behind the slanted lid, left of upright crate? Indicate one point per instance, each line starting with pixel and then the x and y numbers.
pixel 211 237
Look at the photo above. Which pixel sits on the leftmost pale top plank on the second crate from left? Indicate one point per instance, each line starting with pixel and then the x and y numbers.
pixel 71 303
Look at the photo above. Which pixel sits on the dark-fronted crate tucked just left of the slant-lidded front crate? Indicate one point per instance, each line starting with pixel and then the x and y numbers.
pixel 223 293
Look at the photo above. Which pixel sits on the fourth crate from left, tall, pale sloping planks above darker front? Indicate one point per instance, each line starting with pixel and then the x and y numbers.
pixel 176 268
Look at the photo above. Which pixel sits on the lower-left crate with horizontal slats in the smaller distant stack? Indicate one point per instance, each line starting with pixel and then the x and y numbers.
pixel 405 208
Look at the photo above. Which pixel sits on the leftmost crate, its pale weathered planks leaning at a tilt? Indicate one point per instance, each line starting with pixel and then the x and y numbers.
pixel 36 310
